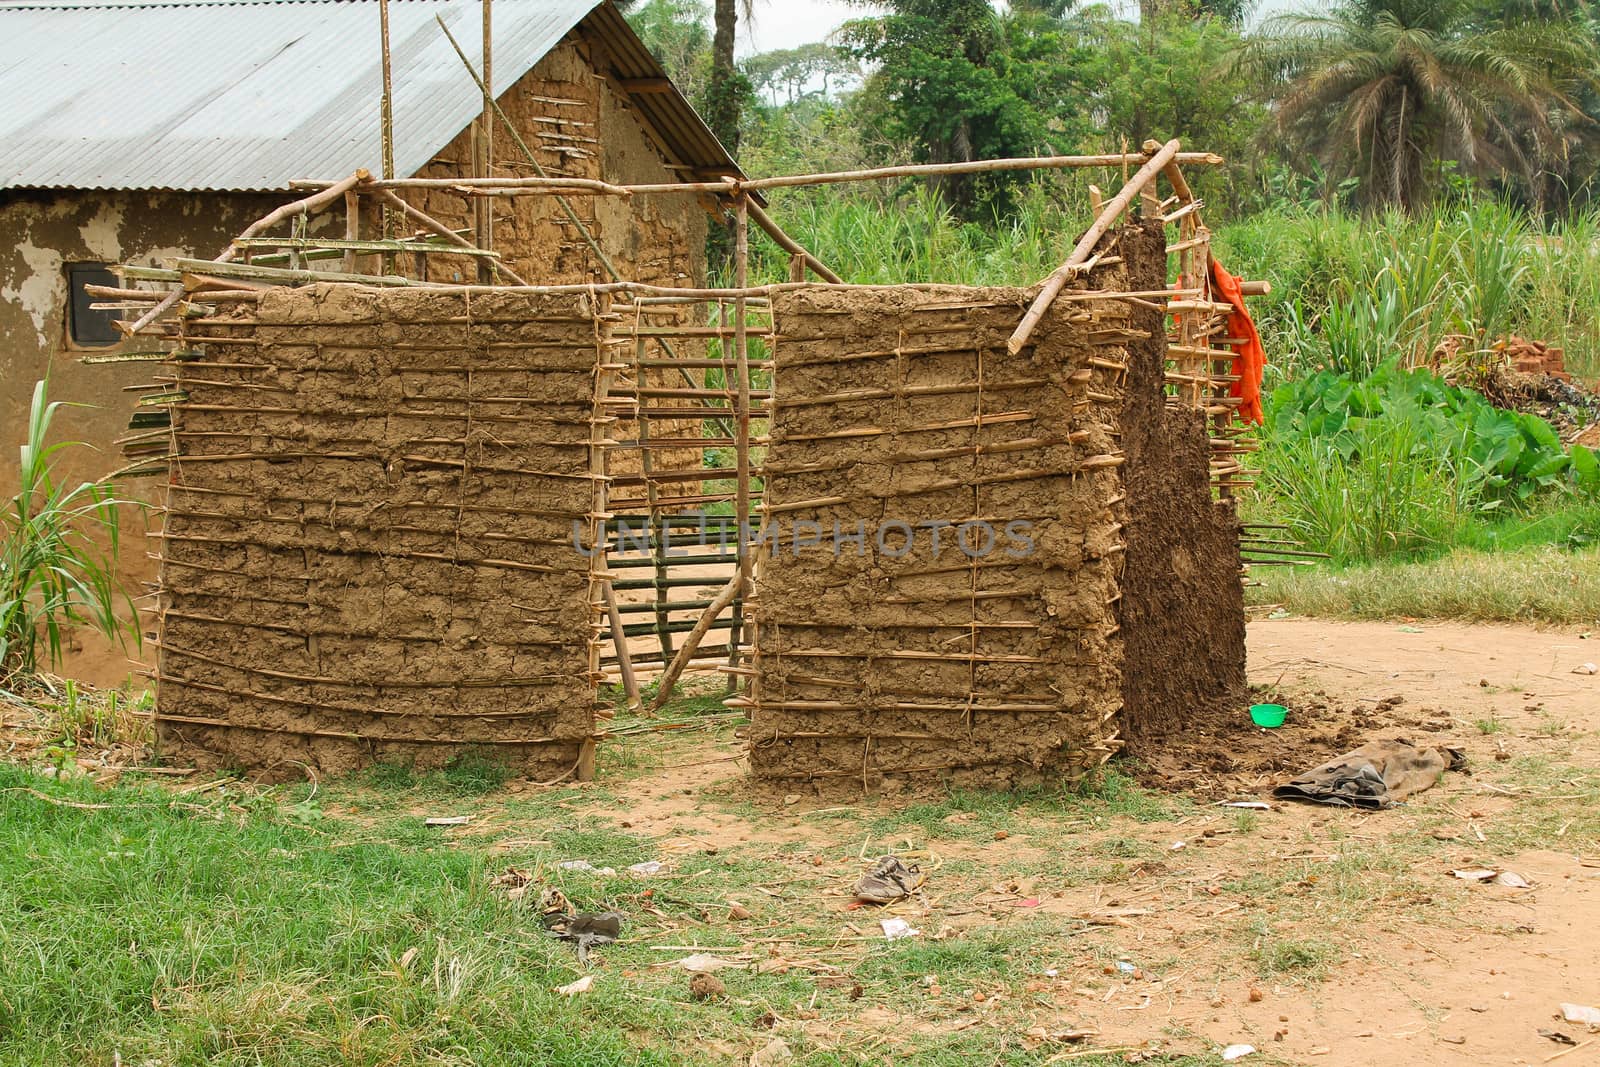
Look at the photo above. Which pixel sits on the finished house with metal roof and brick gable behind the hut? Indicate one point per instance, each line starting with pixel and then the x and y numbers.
pixel 135 132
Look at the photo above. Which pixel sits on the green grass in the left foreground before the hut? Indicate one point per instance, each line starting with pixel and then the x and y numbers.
pixel 238 927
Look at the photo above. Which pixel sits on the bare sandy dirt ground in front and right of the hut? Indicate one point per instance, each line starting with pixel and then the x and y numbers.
pixel 1148 921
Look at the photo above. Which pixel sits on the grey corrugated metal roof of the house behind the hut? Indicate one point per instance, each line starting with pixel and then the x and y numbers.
pixel 247 95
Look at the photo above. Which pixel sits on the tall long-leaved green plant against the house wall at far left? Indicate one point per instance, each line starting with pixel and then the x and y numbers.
pixel 58 556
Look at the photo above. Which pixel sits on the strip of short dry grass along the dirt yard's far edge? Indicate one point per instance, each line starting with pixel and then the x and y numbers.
pixel 1538 585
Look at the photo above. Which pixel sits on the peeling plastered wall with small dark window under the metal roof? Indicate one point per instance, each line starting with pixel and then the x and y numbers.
pixel 44 231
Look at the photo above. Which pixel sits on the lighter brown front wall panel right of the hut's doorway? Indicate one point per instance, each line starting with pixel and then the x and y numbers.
pixel 934 666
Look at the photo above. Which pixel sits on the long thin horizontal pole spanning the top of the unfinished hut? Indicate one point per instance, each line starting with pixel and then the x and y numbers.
pixel 734 186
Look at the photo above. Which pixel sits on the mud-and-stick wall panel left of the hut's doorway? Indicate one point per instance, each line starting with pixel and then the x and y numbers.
pixel 370 538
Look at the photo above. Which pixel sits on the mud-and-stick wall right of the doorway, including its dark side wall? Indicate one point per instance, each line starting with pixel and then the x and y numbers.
pixel 1017 645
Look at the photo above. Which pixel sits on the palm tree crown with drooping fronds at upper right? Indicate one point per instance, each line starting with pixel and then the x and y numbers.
pixel 1383 89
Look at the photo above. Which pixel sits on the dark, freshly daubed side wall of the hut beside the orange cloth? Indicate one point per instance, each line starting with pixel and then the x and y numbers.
pixel 1183 605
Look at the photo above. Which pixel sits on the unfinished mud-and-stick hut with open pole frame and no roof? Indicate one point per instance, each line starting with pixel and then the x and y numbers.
pixel 447 569
